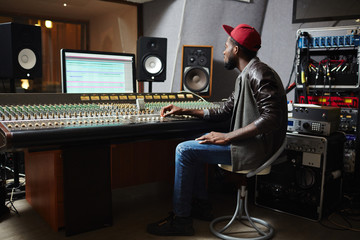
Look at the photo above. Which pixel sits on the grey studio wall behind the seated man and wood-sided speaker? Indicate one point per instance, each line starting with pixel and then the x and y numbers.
pixel 198 22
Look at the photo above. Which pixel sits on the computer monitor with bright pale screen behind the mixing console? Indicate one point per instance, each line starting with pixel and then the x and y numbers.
pixel 97 72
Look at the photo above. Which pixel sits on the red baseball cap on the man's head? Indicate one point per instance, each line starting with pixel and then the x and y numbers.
pixel 245 35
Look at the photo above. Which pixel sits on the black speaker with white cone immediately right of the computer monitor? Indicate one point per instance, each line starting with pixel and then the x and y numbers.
pixel 151 59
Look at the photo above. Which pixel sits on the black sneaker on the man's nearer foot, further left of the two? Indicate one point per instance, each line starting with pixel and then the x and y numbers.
pixel 172 226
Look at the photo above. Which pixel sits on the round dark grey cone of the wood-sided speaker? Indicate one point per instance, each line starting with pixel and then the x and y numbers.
pixel 196 79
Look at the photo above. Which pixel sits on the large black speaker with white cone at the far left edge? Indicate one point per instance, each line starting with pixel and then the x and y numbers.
pixel 20 47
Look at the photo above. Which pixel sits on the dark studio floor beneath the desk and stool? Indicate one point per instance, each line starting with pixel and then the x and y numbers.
pixel 135 207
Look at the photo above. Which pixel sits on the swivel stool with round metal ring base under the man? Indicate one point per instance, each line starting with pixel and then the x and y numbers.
pixel 242 204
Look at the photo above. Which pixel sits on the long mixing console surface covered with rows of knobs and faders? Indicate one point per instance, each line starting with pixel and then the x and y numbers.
pixel 40 116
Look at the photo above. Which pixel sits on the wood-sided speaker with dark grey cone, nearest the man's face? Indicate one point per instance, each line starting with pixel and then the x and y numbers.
pixel 196 74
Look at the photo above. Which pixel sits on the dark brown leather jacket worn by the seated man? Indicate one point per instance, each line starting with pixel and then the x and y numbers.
pixel 270 98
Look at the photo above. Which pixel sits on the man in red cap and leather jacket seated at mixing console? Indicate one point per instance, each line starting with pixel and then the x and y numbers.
pixel 258 112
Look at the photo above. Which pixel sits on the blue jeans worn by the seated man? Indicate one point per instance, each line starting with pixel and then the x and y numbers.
pixel 190 159
